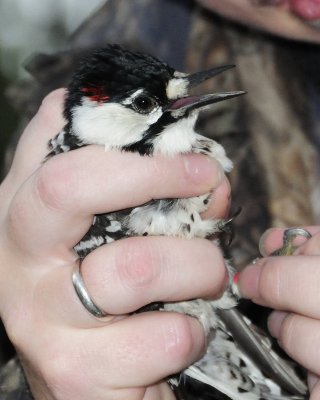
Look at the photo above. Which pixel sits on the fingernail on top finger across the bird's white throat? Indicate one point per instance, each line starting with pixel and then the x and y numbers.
pixel 203 170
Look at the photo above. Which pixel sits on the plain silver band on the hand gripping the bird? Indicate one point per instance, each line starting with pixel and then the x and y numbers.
pixel 83 294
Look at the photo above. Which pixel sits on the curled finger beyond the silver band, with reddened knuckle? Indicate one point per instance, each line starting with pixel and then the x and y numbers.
pixel 126 275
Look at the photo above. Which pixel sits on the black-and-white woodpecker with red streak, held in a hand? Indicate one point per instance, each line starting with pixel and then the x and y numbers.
pixel 131 101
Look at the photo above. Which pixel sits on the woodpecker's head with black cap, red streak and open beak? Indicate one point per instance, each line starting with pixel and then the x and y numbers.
pixel 133 101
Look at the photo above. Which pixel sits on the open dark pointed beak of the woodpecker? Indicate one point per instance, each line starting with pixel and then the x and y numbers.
pixel 186 104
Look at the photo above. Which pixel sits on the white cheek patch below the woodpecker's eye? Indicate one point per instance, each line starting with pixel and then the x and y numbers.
pixel 109 124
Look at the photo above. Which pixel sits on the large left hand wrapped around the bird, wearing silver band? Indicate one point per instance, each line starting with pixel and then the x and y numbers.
pixel 46 208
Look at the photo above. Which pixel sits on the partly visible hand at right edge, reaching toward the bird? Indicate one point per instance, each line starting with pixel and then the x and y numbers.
pixel 290 286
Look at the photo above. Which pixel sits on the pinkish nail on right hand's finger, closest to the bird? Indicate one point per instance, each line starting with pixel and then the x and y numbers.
pixel 248 281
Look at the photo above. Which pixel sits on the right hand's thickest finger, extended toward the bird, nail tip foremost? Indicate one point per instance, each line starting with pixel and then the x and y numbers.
pixel 273 281
